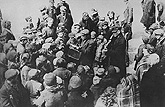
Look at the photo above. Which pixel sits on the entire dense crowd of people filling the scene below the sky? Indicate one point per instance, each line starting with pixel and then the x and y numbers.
pixel 59 63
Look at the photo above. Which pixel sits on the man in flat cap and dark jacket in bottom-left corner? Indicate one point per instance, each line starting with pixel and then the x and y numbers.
pixel 12 93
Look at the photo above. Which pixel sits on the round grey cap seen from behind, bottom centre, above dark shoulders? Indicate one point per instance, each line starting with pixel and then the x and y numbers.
pixel 75 82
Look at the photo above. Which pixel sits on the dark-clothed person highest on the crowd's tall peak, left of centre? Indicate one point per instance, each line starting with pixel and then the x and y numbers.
pixel 65 18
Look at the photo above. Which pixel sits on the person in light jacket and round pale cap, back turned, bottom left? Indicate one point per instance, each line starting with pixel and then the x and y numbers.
pixel 53 95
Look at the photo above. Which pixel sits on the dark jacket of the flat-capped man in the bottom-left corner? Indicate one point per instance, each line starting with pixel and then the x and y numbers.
pixel 14 96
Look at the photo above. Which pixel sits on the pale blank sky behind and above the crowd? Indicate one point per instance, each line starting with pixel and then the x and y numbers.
pixel 17 10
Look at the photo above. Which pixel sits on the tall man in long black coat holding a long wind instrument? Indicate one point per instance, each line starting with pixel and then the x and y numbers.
pixel 117 50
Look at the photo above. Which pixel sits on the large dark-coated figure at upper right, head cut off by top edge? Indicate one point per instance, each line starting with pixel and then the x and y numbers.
pixel 148 17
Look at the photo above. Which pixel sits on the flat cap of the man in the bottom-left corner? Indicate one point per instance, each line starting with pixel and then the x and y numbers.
pixel 10 73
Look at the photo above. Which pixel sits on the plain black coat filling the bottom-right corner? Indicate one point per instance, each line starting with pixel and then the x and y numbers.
pixel 152 87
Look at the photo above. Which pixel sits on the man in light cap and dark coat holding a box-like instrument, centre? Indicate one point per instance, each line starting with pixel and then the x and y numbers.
pixel 87 49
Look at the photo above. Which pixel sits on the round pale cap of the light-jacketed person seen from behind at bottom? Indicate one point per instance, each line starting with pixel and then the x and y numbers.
pixel 50 79
